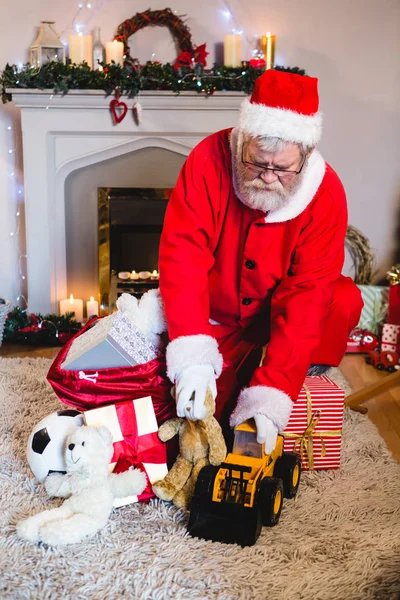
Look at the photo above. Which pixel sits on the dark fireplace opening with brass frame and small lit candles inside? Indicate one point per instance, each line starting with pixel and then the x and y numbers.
pixel 130 225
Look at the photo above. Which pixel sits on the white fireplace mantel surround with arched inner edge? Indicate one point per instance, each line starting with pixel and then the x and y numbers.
pixel 64 133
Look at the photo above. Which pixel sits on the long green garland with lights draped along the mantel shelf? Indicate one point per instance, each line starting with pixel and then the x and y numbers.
pixel 131 79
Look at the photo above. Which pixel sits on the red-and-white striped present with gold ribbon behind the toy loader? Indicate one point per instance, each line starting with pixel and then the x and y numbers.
pixel 314 429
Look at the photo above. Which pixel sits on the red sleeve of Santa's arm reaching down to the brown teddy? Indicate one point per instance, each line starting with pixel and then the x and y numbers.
pixel 185 254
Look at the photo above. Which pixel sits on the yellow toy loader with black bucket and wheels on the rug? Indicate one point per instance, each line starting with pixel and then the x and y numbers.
pixel 232 502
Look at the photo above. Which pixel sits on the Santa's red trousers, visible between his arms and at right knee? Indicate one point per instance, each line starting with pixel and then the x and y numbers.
pixel 242 347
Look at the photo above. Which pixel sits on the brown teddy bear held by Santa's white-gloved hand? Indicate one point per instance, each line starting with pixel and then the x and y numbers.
pixel 200 443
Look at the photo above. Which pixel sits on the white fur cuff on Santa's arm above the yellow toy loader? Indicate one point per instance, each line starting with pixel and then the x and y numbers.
pixel 271 402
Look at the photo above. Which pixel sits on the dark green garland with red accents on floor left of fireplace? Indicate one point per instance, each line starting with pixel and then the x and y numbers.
pixel 39 330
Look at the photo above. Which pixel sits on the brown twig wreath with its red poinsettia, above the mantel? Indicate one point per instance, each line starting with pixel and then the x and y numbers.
pixel 163 18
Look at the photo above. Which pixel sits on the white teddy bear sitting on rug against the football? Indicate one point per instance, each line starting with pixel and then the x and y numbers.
pixel 89 487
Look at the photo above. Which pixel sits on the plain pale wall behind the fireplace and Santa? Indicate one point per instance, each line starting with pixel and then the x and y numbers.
pixel 353 47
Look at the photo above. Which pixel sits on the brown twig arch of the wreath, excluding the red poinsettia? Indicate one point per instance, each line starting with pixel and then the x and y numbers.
pixel 163 18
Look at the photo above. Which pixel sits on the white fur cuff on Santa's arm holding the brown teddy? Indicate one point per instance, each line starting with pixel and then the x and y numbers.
pixel 188 350
